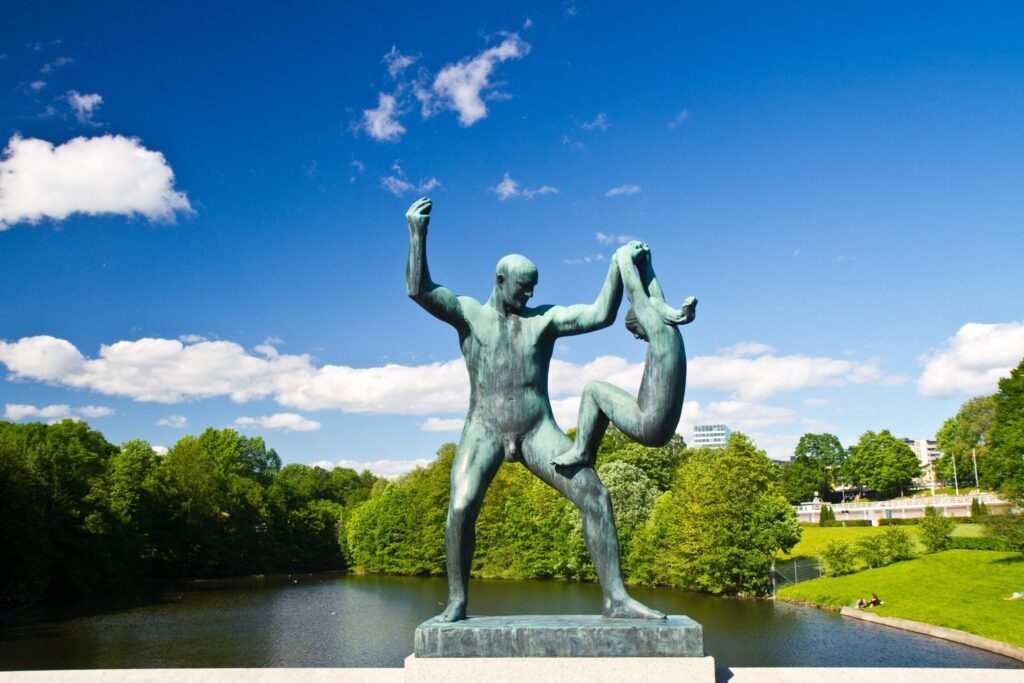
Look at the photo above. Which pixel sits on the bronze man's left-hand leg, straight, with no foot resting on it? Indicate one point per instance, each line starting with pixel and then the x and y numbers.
pixel 477 462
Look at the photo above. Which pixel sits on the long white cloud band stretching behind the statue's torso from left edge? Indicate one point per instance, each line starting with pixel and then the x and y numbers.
pixel 167 371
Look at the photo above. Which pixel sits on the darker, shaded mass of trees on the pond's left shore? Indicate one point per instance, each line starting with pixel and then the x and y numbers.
pixel 81 515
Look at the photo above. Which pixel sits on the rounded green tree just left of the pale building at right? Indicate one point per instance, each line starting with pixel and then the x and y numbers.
pixel 882 463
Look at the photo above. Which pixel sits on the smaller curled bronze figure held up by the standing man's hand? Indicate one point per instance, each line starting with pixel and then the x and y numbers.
pixel 652 418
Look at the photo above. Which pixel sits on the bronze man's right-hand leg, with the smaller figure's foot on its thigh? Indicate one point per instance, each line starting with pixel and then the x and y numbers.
pixel 585 489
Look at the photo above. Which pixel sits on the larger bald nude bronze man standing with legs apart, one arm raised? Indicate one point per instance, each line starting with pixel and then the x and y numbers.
pixel 507 347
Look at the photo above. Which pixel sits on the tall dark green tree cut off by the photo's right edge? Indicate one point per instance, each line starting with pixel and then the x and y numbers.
pixel 1006 471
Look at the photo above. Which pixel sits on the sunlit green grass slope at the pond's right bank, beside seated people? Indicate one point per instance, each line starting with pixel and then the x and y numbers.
pixel 959 589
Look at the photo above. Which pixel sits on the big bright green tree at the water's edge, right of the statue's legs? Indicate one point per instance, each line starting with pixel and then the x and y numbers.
pixel 720 527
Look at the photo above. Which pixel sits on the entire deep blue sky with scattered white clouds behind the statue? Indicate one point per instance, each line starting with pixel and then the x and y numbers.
pixel 202 209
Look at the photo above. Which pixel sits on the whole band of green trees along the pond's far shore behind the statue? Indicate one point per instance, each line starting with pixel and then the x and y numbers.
pixel 81 515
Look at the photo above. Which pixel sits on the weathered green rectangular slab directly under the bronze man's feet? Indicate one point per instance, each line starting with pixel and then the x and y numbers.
pixel 561 636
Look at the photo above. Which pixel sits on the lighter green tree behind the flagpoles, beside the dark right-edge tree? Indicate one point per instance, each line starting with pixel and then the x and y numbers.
pixel 963 437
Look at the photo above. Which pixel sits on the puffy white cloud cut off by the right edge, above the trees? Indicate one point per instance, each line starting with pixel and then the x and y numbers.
pixel 972 361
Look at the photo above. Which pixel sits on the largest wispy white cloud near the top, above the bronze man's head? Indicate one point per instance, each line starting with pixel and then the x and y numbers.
pixel 458 87
